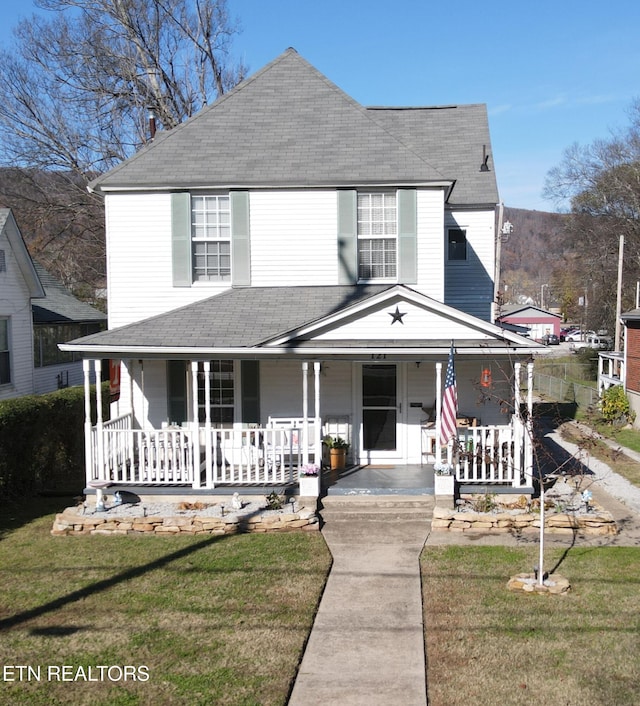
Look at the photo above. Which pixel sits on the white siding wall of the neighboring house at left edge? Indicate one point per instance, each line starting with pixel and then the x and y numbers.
pixel 15 304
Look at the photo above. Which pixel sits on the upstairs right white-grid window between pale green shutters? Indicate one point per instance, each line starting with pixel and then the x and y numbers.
pixel 377 236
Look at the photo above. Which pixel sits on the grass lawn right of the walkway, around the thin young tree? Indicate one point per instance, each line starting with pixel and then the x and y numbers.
pixel 491 646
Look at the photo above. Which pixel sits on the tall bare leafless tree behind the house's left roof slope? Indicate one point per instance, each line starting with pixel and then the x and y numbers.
pixel 78 86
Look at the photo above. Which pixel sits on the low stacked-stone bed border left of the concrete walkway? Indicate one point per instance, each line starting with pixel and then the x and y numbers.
pixel 69 522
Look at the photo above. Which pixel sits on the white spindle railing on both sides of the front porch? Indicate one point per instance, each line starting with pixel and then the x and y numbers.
pixel 207 457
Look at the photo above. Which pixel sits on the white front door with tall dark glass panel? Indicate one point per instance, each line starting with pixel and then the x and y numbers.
pixel 380 412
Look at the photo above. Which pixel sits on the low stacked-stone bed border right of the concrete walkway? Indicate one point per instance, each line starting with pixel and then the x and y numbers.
pixel 598 522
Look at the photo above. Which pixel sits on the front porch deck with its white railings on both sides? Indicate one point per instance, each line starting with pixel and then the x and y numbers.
pixel 202 461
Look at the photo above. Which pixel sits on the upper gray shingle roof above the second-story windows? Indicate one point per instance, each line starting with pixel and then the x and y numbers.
pixel 288 125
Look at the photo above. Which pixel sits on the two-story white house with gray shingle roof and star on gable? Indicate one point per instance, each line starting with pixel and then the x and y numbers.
pixel 288 263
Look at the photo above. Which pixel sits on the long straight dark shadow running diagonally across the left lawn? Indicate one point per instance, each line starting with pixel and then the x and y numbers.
pixel 105 584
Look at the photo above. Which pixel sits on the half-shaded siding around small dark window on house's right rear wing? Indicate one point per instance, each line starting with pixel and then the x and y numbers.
pixel 469 284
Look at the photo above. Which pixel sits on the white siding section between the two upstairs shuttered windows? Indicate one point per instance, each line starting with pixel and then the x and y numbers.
pixel 294 238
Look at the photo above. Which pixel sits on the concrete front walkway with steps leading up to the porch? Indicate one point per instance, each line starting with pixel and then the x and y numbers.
pixel 367 643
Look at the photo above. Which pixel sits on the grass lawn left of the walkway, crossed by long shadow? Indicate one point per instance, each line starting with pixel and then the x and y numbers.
pixel 214 620
